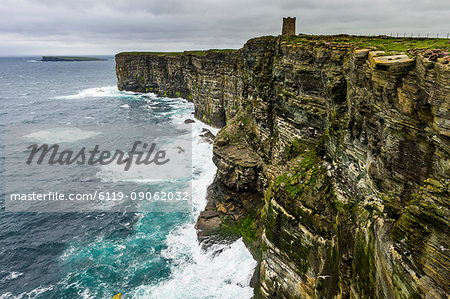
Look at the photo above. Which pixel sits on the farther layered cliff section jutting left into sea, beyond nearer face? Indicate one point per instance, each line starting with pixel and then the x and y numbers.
pixel 210 81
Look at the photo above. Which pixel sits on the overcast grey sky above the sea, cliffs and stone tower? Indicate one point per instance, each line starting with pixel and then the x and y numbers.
pixel 104 27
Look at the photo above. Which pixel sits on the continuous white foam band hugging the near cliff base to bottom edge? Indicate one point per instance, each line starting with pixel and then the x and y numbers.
pixel 195 273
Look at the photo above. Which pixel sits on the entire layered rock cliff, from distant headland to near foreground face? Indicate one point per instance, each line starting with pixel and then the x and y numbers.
pixel 333 161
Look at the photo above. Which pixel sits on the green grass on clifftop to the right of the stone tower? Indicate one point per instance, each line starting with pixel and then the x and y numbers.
pixel 382 43
